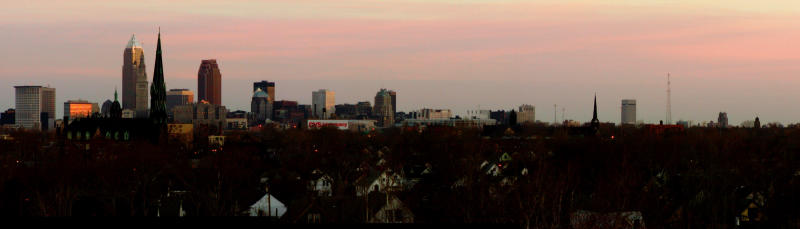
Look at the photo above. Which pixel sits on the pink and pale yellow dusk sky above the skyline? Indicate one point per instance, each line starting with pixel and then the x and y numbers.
pixel 736 56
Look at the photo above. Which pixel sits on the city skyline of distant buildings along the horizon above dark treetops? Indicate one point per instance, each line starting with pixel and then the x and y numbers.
pixel 143 99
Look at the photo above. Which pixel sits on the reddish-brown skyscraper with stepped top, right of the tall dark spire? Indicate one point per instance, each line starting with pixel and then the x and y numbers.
pixel 209 82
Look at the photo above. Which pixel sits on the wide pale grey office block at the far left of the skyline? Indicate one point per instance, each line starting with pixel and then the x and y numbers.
pixel 35 107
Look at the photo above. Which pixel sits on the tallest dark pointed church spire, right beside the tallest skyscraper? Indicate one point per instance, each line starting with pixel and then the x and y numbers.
pixel 158 90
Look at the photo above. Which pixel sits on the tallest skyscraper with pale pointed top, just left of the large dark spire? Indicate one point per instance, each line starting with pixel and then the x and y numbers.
pixel 134 78
